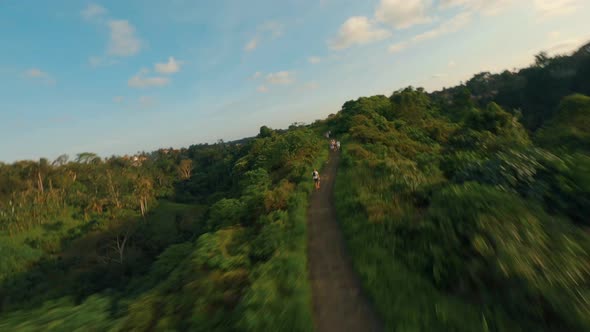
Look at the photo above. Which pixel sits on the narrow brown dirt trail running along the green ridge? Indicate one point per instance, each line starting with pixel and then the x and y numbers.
pixel 338 302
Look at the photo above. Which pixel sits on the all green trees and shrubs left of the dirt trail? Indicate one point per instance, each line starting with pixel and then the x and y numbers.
pixel 206 238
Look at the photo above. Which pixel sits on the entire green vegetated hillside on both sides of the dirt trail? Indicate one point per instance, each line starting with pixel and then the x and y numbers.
pixel 463 210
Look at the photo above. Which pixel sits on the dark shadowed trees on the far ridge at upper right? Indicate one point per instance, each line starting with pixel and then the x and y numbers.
pixel 535 91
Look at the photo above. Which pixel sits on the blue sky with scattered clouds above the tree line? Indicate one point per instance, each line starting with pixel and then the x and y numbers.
pixel 118 77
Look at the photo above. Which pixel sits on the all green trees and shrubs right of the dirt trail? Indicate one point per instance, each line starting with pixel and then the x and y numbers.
pixel 459 216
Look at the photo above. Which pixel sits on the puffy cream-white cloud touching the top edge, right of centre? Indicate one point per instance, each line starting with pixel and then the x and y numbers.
pixel 403 14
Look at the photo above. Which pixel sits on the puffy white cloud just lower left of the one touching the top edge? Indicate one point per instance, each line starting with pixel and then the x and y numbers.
pixel 358 30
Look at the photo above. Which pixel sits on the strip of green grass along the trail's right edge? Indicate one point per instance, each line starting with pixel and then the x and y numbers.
pixel 404 299
